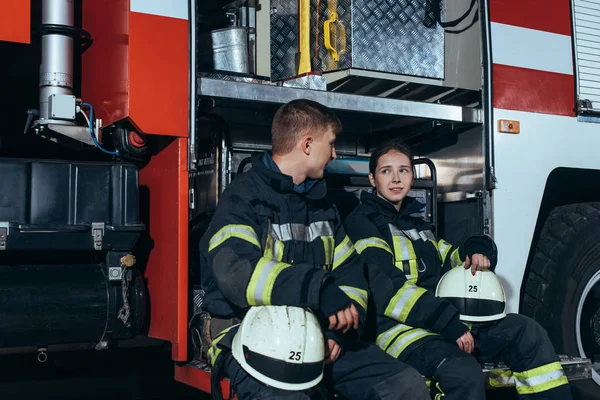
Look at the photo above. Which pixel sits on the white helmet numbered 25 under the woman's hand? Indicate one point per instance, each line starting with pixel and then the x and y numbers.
pixel 478 298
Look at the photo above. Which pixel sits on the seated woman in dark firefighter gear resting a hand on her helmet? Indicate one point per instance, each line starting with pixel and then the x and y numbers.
pixel 405 261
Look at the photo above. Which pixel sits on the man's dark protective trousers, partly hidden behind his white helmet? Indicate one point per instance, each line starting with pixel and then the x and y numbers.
pixel 362 372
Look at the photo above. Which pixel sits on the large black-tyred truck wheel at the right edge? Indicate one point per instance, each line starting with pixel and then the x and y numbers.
pixel 562 291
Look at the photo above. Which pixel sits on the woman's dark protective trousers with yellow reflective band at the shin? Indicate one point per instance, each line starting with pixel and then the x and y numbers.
pixel 518 341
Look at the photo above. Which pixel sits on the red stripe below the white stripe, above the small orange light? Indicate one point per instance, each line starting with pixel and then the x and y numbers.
pixel 533 91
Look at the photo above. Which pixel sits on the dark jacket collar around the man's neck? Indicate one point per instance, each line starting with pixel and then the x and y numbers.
pixel 270 173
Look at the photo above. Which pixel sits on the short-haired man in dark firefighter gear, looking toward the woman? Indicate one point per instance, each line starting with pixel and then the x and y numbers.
pixel 276 241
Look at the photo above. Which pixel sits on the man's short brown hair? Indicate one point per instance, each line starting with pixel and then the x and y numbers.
pixel 297 118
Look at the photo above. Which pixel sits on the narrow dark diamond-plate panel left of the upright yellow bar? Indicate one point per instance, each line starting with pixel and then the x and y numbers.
pixel 284 39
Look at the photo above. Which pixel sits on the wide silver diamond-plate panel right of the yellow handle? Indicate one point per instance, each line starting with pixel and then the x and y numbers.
pixel 390 36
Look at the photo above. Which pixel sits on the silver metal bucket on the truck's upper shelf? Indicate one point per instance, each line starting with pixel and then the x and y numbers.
pixel 224 50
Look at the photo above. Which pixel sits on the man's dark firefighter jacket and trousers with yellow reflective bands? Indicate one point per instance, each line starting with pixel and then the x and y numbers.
pixel 272 242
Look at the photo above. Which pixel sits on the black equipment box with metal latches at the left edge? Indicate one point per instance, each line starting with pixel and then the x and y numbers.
pixel 59 205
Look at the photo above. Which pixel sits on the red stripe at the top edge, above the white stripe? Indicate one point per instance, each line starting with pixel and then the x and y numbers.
pixel 544 15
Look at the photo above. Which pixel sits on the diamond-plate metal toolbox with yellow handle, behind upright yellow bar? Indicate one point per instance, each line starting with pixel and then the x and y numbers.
pixel 391 36
